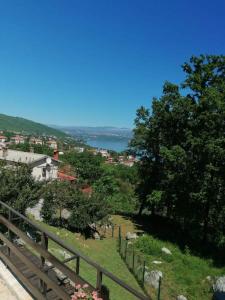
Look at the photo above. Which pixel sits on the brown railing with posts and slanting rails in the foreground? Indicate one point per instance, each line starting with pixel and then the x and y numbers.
pixel 46 283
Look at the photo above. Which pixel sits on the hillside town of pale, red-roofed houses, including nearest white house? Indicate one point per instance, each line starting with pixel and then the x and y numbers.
pixel 42 154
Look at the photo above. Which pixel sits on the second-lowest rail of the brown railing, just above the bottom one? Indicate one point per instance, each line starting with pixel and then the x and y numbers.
pixel 33 267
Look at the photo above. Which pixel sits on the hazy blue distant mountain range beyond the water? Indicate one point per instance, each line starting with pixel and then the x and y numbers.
pixel 96 132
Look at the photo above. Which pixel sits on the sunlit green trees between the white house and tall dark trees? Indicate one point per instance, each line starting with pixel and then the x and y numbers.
pixel 115 183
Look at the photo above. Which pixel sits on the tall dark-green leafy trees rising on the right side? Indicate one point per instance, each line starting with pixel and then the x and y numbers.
pixel 181 145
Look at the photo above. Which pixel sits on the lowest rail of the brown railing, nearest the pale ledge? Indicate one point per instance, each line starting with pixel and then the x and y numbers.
pixel 24 281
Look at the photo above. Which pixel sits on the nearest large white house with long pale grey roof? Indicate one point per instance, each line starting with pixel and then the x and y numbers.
pixel 43 167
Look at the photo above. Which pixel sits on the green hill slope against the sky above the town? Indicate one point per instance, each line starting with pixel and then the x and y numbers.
pixel 27 126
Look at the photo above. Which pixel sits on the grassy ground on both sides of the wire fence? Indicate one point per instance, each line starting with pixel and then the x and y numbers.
pixel 183 273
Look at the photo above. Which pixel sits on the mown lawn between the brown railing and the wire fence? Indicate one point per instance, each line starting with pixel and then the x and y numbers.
pixel 103 252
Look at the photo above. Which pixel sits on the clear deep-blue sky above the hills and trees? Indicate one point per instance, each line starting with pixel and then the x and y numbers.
pixel 73 62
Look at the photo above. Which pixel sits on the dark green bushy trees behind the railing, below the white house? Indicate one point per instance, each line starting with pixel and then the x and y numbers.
pixel 81 210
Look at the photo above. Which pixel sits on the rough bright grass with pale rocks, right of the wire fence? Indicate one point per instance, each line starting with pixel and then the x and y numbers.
pixel 183 273
